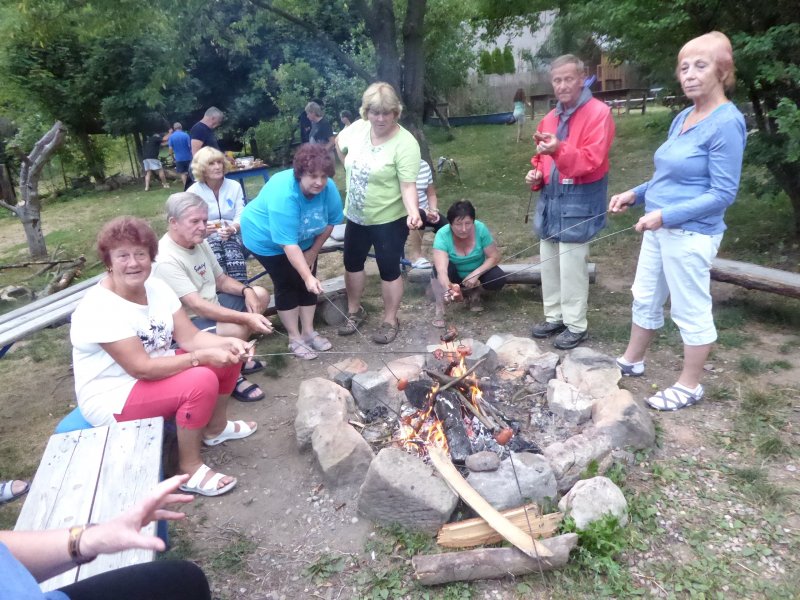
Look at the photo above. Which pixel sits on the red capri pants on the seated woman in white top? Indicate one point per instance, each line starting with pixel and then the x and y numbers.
pixel 189 396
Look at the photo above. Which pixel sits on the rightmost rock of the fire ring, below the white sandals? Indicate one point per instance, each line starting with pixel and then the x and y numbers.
pixel 624 420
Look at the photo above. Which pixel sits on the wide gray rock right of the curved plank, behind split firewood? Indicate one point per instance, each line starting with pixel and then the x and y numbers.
pixel 499 488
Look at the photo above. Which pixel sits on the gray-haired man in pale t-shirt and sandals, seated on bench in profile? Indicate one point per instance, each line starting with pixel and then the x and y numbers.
pixel 213 300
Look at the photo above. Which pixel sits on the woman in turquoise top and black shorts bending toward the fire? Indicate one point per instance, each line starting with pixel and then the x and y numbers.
pixel 285 227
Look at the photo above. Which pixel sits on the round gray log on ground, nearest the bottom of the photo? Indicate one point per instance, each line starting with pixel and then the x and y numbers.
pixel 491 563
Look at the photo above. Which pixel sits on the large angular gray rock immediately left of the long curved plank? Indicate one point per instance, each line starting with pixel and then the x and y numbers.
pixel 401 488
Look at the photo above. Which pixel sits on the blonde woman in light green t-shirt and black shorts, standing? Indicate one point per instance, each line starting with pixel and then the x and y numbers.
pixel 381 159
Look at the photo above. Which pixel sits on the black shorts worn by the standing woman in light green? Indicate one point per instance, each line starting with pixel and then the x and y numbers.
pixel 388 239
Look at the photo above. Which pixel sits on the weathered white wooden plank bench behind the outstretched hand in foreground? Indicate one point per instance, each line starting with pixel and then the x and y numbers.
pixel 93 475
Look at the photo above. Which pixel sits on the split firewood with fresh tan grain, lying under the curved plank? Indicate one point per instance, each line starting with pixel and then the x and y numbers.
pixel 477 532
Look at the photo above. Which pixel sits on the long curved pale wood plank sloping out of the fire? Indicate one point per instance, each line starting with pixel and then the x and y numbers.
pixel 499 523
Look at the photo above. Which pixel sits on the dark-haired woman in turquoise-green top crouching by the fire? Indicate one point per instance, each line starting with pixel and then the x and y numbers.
pixel 464 256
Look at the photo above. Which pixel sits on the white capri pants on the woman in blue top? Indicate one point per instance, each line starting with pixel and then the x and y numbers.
pixel 676 263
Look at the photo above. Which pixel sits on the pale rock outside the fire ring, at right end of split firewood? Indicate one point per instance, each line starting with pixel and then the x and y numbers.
pixel 590 499
